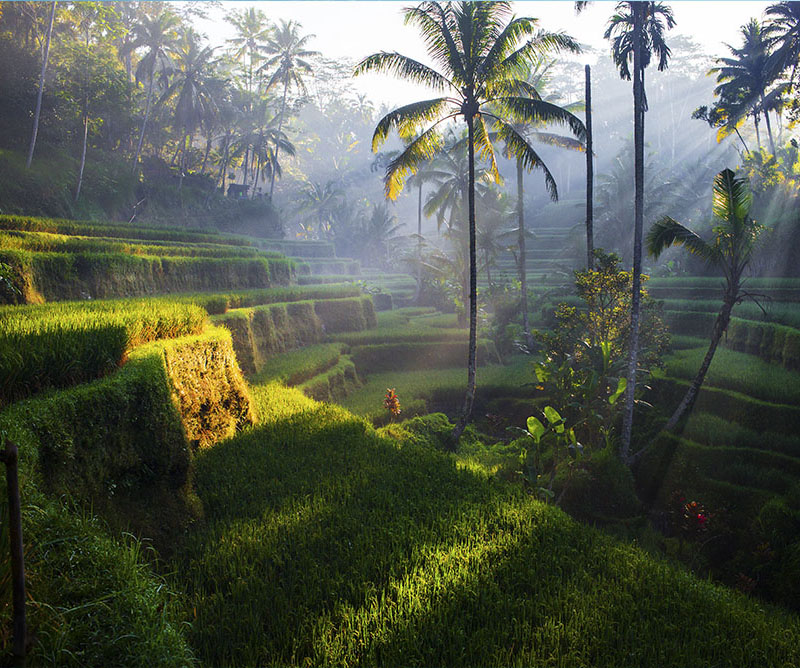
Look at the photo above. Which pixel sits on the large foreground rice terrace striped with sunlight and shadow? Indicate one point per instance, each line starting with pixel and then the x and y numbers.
pixel 342 547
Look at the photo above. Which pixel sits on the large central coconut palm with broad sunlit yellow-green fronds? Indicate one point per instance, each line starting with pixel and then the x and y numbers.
pixel 477 48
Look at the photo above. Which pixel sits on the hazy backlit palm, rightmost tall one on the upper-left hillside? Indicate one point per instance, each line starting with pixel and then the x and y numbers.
pixel 288 56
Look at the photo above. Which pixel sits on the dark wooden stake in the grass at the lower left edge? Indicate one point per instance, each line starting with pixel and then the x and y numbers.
pixel 9 458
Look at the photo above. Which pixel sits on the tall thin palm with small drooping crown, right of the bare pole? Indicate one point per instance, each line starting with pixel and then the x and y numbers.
pixel 636 32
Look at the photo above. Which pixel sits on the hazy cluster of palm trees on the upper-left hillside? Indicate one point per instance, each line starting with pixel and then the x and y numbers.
pixel 235 101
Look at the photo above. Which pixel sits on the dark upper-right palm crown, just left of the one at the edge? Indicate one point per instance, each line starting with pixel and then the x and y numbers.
pixel 745 79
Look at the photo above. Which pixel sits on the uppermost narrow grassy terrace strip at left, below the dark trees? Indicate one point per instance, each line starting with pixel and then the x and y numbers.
pixel 118 230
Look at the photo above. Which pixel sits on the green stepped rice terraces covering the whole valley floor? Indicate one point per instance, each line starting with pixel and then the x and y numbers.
pixel 297 532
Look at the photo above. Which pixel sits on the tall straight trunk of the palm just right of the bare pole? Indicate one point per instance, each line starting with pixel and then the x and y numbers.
pixel 638 217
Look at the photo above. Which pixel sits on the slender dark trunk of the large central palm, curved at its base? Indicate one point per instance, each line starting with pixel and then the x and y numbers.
pixel 469 397
